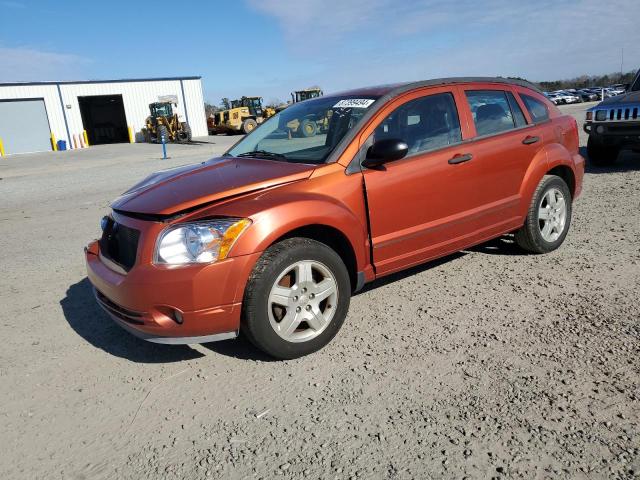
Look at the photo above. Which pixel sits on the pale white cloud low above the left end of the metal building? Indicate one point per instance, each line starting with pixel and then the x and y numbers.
pixel 29 64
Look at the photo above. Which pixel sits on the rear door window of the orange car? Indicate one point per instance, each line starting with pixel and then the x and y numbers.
pixel 491 111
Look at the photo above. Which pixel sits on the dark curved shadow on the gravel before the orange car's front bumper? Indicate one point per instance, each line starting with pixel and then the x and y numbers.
pixel 89 321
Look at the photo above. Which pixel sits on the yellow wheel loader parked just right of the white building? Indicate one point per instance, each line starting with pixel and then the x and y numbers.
pixel 243 117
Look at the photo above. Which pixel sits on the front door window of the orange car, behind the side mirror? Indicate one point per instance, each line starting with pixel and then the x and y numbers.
pixel 426 123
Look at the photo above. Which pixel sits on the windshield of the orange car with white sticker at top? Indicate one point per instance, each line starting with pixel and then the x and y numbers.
pixel 305 132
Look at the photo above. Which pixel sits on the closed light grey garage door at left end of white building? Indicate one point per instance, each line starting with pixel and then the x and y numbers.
pixel 24 126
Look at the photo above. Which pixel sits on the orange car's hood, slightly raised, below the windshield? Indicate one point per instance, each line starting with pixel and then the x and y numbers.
pixel 178 189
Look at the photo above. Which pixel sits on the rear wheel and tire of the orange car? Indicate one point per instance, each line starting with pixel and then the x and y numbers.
pixel 549 217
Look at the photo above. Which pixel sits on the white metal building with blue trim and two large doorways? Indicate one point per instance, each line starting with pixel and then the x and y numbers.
pixel 32 112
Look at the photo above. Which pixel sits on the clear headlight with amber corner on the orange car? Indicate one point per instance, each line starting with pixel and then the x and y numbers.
pixel 199 242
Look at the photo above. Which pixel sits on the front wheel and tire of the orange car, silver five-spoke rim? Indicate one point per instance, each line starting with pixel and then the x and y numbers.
pixel 296 299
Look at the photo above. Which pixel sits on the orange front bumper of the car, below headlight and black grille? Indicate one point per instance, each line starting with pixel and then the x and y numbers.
pixel 144 301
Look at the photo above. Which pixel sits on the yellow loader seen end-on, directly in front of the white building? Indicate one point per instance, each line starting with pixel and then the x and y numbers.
pixel 164 121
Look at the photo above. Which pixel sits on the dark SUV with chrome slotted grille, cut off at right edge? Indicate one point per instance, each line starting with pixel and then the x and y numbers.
pixel 614 125
